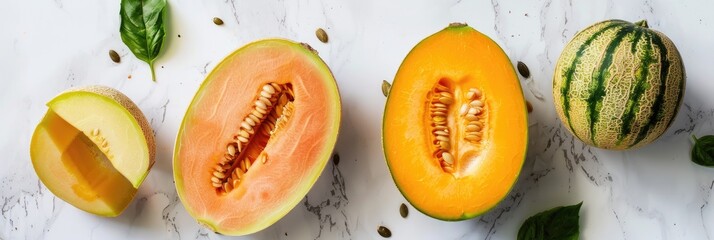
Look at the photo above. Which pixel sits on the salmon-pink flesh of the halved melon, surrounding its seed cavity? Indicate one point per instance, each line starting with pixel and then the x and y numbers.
pixel 296 155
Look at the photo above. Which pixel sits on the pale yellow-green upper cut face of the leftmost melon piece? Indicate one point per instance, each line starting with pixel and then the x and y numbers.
pixel 128 150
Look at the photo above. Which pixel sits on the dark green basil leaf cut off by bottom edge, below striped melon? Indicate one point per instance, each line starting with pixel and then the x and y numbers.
pixel 554 224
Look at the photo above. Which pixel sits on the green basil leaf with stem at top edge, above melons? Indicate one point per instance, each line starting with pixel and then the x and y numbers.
pixel 142 28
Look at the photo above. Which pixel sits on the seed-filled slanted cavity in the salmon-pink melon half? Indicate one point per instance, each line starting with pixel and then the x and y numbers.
pixel 271 110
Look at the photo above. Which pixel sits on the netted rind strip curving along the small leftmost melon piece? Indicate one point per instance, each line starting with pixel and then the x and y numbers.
pixel 131 110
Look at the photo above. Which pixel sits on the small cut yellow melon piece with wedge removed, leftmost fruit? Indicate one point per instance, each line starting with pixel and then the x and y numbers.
pixel 93 149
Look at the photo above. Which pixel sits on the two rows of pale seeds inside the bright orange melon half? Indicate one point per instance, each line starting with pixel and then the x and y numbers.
pixel 472 113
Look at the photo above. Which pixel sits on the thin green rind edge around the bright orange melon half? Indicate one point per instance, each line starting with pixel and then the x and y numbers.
pixel 463 27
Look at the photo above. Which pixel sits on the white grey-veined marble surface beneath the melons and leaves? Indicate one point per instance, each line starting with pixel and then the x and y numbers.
pixel 654 192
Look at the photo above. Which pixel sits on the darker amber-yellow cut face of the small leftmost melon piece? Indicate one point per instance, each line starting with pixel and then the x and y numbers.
pixel 75 170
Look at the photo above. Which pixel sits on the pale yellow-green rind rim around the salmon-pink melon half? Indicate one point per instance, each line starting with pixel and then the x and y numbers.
pixel 330 143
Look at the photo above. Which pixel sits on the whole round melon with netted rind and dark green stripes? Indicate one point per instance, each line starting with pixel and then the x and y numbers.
pixel 618 85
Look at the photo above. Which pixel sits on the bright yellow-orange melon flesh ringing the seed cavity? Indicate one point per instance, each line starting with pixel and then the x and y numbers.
pixel 471 60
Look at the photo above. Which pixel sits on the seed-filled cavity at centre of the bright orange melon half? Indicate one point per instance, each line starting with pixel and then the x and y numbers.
pixel 456 121
